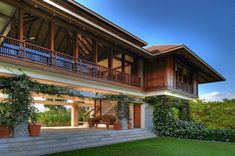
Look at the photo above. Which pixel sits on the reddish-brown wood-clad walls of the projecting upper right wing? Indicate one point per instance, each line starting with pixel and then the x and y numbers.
pixel 161 74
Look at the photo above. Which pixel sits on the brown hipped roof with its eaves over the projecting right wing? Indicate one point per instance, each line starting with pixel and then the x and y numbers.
pixel 205 69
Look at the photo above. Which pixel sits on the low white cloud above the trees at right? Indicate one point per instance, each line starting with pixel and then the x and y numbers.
pixel 217 96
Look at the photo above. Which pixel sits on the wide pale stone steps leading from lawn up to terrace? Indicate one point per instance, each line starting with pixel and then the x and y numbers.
pixel 53 143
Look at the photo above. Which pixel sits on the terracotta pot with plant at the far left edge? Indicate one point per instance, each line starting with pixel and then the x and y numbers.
pixel 5 120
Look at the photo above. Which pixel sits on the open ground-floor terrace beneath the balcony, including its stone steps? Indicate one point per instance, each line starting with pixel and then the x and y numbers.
pixel 78 134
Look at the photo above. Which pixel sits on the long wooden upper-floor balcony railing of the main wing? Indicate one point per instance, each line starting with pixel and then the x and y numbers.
pixel 13 48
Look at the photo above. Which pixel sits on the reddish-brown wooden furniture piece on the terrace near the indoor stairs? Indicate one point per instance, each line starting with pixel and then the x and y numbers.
pixel 103 119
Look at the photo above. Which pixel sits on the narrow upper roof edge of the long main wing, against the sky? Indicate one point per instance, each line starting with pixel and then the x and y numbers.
pixel 106 21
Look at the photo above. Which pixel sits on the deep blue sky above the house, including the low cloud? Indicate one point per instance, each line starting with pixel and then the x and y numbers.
pixel 205 26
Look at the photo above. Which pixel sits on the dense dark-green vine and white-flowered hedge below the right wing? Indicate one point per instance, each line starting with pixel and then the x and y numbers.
pixel 166 124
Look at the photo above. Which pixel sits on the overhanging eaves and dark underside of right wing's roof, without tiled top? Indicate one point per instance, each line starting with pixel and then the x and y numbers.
pixel 206 73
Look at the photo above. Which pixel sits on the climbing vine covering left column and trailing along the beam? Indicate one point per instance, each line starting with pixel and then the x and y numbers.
pixel 19 106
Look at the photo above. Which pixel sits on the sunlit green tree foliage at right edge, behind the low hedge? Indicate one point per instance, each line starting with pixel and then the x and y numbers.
pixel 215 115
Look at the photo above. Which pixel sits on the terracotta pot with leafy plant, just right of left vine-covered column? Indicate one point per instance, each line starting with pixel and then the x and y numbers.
pixel 33 127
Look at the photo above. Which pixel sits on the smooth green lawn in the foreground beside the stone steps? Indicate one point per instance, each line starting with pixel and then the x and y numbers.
pixel 159 147
